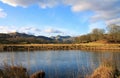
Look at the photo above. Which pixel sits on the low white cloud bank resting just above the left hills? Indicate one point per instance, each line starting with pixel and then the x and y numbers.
pixel 32 30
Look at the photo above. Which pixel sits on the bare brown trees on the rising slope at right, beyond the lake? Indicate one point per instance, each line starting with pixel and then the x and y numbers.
pixel 111 35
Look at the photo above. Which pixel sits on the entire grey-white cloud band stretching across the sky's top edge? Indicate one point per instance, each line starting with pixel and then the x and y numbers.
pixel 108 10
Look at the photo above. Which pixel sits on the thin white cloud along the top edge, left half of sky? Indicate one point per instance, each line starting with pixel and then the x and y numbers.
pixel 25 3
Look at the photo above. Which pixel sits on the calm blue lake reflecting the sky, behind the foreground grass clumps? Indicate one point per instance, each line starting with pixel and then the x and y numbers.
pixel 60 64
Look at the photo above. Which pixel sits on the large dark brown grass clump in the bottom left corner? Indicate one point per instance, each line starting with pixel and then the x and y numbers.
pixel 8 71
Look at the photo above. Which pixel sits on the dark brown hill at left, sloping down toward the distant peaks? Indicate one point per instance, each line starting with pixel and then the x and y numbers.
pixel 18 38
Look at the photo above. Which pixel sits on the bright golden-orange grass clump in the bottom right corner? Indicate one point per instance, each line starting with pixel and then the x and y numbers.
pixel 106 70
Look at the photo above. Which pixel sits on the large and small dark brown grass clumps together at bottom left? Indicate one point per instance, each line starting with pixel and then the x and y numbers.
pixel 8 71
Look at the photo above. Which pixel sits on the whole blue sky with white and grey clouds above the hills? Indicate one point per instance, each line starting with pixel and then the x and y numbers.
pixel 57 17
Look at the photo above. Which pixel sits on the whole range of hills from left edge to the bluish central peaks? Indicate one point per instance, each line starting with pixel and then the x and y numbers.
pixel 22 38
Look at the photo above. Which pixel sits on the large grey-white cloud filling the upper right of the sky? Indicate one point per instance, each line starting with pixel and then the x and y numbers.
pixel 107 10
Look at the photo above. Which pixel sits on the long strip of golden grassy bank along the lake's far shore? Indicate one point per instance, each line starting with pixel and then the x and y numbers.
pixel 85 46
